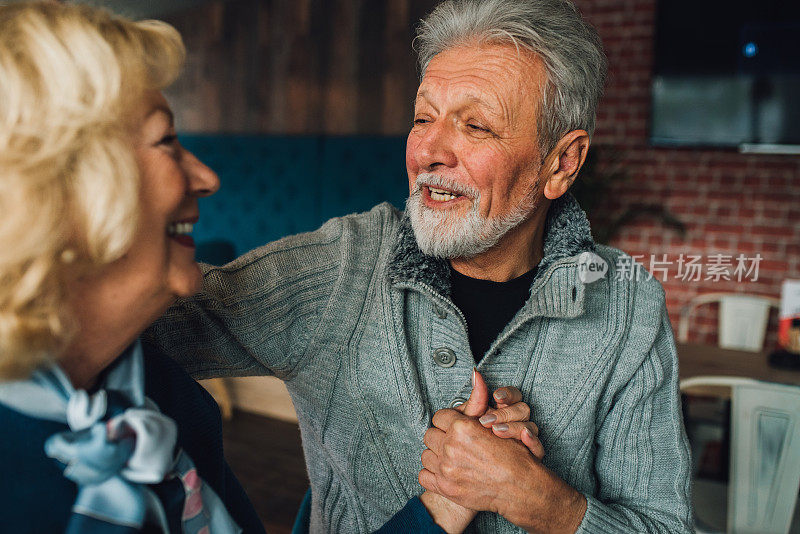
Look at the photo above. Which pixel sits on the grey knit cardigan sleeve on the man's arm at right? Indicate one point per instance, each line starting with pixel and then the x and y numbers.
pixel 642 463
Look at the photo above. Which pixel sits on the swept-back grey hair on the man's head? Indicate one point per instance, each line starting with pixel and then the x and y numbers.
pixel 553 29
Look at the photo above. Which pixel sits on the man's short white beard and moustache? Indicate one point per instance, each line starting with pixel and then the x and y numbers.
pixel 446 234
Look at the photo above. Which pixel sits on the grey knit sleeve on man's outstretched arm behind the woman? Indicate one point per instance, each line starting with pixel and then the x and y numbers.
pixel 255 315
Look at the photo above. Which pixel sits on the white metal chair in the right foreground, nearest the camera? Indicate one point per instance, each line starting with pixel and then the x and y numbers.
pixel 764 472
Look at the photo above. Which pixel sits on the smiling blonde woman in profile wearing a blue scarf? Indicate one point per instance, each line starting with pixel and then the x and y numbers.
pixel 98 199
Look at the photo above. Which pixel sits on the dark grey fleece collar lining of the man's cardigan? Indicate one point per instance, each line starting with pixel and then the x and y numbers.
pixel 567 233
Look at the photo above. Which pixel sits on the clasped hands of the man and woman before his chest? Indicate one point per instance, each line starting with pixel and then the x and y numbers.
pixel 481 458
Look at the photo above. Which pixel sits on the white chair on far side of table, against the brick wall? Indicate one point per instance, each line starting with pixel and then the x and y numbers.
pixel 742 319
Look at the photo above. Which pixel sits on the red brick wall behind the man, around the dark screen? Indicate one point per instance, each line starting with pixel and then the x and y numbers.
pixel 731 203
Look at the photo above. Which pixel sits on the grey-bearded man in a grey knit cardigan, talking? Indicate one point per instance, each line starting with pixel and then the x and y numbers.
pixel 376 320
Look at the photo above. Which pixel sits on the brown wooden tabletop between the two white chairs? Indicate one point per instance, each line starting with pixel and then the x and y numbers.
pixel 703 360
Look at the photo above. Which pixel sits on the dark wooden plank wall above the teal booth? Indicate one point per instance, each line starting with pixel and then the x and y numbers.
pixel 298 66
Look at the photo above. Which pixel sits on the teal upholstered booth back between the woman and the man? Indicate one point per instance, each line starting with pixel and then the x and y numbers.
pixel 277 186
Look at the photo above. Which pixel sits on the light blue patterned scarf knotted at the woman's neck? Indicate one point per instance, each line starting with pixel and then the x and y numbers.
pixel 118 442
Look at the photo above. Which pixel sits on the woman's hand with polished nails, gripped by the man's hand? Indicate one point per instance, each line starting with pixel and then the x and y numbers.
pixel 508 420
